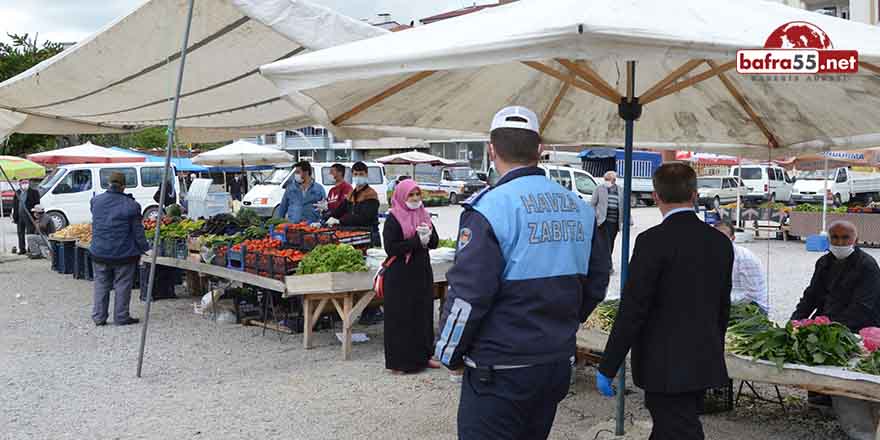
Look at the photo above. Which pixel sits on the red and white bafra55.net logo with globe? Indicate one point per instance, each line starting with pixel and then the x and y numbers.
pixel 797 47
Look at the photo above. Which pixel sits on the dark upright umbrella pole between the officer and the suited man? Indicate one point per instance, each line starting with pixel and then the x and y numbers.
pixel 629 110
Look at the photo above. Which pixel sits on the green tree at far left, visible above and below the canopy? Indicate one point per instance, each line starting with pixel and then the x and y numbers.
pixel 17 57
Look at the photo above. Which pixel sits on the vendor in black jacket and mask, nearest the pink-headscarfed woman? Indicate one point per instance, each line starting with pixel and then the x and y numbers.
pixel 361 207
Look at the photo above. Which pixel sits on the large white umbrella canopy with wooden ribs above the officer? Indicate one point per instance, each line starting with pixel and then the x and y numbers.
pixel 565 59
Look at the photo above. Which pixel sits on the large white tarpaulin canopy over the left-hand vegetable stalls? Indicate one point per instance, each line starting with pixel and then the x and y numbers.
pixel 123 77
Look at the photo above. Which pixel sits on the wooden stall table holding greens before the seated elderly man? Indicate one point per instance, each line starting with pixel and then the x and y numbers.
pixel 853 392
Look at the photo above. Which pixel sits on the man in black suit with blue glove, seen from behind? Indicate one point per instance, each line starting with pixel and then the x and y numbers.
pixel 674 310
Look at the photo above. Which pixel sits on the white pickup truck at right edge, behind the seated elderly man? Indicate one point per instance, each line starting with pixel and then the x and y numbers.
pixel 844 185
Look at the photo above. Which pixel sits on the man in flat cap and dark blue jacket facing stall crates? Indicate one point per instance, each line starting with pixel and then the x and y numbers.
pixel 118 241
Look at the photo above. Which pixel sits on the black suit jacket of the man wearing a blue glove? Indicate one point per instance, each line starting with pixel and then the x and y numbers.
pixel 674 308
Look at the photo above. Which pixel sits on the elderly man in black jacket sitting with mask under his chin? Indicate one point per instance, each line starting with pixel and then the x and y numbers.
pixel 846 283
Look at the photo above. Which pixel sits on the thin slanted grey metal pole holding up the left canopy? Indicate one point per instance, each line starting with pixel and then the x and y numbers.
pixel 168 148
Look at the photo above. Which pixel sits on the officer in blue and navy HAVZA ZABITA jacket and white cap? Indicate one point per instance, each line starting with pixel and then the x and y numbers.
pixel 529 268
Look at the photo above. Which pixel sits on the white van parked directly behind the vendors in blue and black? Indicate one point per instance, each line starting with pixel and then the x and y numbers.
pixel 265 198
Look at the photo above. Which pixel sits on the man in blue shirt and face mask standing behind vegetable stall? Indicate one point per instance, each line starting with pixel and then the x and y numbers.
pixel 301 195
